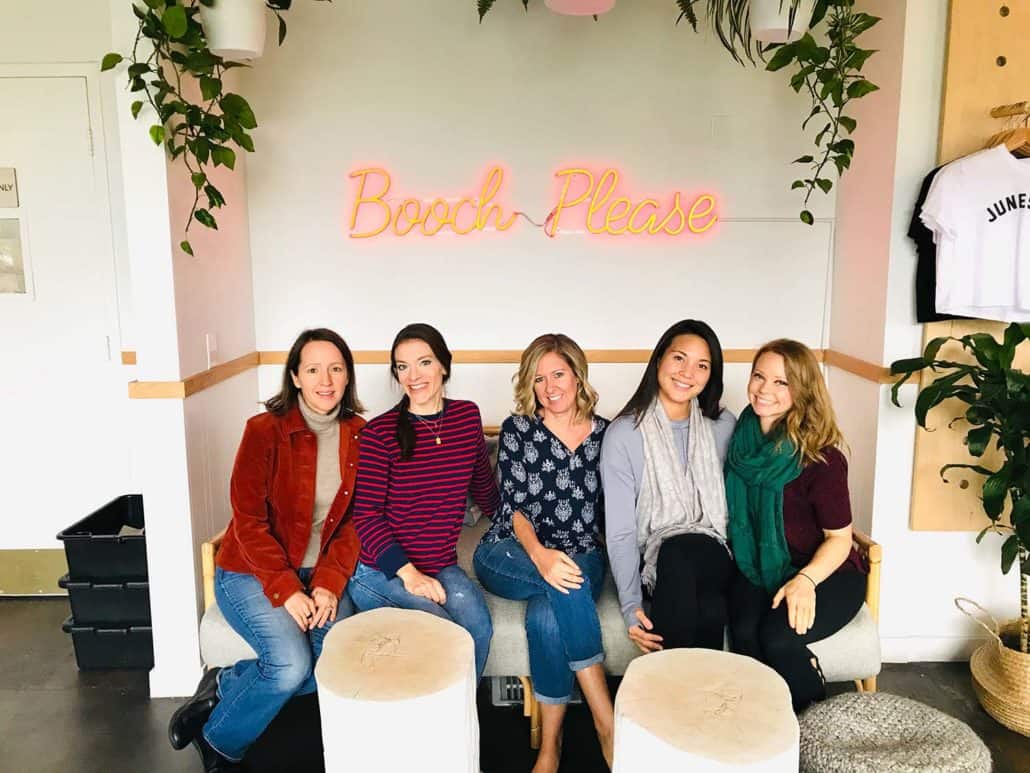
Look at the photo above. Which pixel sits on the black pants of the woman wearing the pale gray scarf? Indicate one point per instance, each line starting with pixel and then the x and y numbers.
pixel 689 606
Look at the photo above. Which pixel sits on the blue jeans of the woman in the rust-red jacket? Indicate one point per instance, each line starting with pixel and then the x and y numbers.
pixel 253 692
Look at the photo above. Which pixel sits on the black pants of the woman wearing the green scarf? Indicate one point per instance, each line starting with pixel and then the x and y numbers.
pixel 764 633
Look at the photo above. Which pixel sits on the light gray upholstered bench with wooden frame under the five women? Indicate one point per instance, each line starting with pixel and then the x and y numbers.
pixel 852 654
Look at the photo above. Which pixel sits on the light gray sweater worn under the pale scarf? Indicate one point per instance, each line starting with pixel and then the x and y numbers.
pixel 622 475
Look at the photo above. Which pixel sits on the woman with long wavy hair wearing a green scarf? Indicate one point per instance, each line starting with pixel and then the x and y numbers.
pixel 800 581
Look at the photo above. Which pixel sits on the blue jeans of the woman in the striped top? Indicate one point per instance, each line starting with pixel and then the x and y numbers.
pixel 369 589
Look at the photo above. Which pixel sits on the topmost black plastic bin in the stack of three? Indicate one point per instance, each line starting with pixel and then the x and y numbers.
pixel 96 550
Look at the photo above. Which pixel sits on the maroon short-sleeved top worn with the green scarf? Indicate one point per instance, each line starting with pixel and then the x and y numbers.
pixel 816 500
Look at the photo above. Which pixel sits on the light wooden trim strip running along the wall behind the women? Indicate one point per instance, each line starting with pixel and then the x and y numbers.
pixel 218 375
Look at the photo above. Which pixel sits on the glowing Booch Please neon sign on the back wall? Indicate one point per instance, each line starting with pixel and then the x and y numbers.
pixel 593 197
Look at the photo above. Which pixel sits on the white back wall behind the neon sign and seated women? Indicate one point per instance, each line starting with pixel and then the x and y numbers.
pixel 436 98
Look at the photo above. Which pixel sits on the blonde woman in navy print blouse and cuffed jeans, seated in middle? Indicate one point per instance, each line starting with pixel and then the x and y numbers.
pixel 544 547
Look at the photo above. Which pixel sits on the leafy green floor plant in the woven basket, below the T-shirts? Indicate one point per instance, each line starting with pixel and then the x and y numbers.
pixel 999 400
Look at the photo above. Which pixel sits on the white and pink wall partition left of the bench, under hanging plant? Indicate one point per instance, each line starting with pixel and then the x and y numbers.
pixel 185 448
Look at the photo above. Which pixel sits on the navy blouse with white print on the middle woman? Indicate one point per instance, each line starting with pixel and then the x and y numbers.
pixel 557 490
